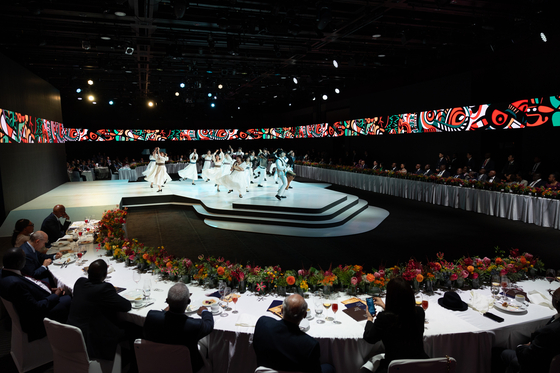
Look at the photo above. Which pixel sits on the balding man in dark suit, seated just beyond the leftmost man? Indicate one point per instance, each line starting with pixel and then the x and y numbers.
pixel 37 262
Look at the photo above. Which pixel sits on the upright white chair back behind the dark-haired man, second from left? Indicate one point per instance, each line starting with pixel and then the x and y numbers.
pixel 69 347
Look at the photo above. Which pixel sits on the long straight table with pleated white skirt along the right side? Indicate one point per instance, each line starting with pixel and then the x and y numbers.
pixel 529 209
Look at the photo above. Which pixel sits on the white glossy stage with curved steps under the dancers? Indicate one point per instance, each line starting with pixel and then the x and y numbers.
pixel 309 209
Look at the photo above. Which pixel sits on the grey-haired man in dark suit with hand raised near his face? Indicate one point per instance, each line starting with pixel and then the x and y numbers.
pixel 172 326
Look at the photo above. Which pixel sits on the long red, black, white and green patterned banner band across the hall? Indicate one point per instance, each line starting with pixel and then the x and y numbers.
pixel 534 112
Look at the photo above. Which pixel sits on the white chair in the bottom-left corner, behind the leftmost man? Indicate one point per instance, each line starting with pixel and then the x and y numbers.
pixel 27 355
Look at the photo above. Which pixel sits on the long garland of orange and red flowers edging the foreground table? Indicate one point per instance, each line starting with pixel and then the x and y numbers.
pixel 472 271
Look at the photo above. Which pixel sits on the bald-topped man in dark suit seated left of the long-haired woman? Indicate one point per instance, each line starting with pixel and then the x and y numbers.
pixel 281 345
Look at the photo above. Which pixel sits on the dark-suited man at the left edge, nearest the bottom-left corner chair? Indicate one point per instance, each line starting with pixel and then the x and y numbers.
pixel 32 299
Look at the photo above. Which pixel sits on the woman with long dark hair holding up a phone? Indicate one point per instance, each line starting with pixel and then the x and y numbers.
pixel 400 326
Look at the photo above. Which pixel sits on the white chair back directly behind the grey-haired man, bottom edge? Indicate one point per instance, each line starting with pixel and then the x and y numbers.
pixel 153 357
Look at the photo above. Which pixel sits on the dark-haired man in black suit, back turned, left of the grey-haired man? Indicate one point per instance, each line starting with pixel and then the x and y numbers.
pixel 94 311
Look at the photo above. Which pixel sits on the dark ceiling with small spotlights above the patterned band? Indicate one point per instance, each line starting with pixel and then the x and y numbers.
pixel 253 49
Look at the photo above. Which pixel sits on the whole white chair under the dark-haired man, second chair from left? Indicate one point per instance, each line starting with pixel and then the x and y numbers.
pixel 70 353
